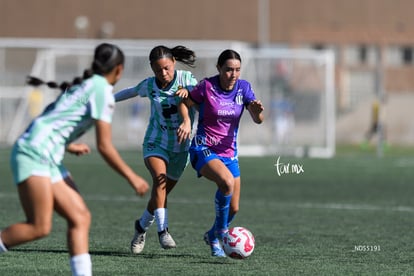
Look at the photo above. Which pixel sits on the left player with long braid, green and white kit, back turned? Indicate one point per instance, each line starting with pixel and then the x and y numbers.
pixel 37 155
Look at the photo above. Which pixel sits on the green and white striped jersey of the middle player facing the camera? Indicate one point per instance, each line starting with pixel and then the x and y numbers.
pixel 164 119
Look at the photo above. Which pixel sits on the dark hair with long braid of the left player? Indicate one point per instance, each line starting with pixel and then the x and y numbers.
pixel 106 58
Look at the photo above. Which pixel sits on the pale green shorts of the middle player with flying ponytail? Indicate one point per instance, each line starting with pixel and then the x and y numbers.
pixel 176 161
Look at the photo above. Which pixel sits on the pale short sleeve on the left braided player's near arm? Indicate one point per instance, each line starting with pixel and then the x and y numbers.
pixel 102 104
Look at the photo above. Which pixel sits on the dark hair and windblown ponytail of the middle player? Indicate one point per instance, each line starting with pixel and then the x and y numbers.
pixel 179 53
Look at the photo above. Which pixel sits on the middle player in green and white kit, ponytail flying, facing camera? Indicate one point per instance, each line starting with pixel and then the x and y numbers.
pixel 164 154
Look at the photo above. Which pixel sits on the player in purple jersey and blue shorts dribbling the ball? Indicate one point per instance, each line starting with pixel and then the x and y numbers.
pixel 220 100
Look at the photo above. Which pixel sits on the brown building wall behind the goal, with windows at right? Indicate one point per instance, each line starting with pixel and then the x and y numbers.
pixel 364 34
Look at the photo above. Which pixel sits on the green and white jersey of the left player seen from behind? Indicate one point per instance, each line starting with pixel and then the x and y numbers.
pixel 70 116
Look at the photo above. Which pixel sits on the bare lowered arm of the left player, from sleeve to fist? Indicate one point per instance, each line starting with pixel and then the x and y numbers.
pixel 112 157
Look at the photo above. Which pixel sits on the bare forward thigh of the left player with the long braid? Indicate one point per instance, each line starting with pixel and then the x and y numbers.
pixel 69 204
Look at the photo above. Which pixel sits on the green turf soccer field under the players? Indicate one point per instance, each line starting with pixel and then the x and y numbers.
pixel 350 215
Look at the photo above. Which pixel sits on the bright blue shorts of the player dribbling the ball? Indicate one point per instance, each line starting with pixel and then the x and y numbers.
pixel 201 157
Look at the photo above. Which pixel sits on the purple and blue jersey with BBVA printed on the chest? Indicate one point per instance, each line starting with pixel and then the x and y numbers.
pixel 219 115
